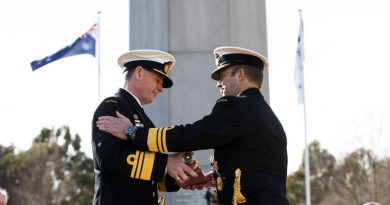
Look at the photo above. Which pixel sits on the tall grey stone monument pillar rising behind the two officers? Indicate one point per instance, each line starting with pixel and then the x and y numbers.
pixel 190 30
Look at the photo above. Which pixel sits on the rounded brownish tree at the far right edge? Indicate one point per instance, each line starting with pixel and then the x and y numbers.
pixel 361 177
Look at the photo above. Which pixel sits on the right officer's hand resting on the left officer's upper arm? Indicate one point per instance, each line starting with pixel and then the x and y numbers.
pixel 114 125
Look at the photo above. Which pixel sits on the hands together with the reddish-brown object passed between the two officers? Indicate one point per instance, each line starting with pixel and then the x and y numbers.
pixel 191 176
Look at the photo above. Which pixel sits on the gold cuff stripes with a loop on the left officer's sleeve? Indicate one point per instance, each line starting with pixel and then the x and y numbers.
pixel 142 164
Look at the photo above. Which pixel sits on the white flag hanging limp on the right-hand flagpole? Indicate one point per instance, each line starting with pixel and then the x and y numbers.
pixel 300 57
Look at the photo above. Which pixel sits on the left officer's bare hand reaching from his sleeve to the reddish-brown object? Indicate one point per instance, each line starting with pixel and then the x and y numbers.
pixel 178 170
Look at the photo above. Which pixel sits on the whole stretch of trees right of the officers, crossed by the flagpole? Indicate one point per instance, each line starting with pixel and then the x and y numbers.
pixel 358 178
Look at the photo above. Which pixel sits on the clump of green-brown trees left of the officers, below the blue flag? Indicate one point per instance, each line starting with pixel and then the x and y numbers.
pixel 54 171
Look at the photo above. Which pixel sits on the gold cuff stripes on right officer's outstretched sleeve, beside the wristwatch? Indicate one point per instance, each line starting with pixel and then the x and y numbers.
pixel 157 139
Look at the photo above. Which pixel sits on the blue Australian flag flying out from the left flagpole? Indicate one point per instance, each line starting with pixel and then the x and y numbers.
pixel 85 44
